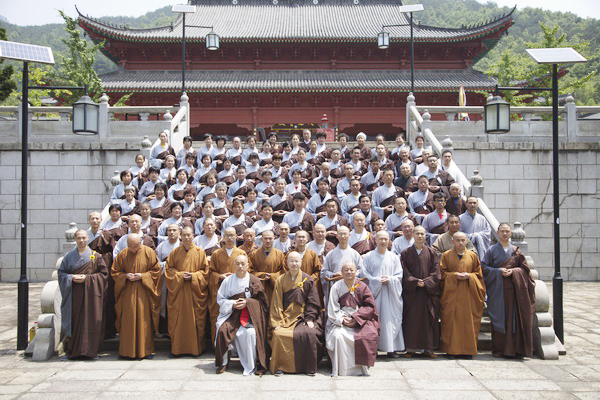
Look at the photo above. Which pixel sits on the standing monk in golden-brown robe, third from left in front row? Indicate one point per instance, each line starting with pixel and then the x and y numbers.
pixel 187 298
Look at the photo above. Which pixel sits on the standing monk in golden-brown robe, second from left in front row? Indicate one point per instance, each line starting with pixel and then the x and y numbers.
pixel 137 275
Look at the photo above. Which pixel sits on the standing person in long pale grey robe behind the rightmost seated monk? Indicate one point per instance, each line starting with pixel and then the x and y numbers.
pixel 384 277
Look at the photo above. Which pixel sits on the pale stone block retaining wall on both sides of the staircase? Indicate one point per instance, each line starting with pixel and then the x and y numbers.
pixel 67 181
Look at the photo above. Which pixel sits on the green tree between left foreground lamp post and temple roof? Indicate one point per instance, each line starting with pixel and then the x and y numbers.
pixel 76 68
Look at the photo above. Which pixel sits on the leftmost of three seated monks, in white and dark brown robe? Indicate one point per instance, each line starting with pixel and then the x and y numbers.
pixel 242 320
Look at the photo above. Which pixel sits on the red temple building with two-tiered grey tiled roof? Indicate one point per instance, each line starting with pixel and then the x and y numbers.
pixel 285 63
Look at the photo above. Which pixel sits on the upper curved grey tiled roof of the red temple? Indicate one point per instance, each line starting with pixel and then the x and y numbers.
pixel 295 23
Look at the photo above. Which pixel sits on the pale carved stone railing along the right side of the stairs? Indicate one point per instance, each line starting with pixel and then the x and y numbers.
pixel 545 343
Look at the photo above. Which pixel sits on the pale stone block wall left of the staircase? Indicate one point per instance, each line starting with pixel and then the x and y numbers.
pixel 67 181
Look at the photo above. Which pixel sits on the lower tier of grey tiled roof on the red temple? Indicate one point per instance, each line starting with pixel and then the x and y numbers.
pixel 295 81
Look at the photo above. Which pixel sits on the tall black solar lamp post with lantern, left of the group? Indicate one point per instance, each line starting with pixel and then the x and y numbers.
pixel 39 54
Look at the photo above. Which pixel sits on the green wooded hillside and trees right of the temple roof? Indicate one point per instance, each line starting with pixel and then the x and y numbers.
pixel 533 27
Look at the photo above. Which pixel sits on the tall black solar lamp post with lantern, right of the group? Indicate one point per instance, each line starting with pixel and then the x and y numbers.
pixel 552 56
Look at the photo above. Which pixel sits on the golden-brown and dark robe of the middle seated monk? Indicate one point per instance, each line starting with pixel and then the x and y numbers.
pixel 295 346
